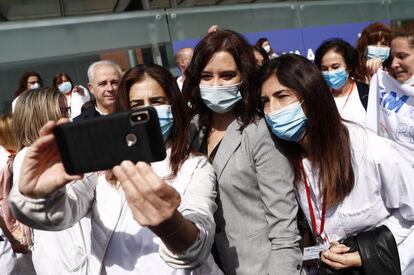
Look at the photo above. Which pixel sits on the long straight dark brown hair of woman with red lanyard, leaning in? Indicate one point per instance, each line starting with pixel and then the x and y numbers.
pixel 327 135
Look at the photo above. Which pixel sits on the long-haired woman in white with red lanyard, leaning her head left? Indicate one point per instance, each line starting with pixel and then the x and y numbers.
pixel 348 179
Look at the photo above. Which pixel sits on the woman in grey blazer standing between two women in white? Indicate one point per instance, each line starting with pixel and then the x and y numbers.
pixel 256 217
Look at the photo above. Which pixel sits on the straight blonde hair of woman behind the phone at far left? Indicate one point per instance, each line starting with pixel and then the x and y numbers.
pixel 33 109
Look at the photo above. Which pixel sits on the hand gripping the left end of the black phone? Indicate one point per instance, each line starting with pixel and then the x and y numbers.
pixel 42 171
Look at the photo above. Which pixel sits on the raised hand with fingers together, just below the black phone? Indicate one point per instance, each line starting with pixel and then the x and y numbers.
pixel 151 200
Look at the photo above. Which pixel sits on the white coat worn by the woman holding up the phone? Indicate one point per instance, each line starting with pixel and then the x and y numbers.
pixel 196 184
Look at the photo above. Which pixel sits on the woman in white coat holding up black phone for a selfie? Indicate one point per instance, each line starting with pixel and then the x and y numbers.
pixel 145 219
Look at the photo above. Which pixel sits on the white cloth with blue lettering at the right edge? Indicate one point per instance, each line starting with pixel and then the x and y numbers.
pixel 391 109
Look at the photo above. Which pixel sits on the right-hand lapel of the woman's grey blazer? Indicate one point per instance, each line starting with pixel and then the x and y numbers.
pixel 230 142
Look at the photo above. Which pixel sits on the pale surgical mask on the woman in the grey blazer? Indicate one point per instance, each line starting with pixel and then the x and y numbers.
pixel 220 99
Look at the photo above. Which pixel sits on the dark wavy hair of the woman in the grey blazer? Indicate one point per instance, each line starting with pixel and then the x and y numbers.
pixel 242 53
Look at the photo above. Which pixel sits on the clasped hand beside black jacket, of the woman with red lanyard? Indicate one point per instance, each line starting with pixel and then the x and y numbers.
pixel 338 258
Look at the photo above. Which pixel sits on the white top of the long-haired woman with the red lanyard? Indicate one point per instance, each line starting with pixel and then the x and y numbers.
pixel 383 194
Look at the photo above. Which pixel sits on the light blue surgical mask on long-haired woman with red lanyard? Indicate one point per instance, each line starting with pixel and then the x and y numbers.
pixel 288 123
